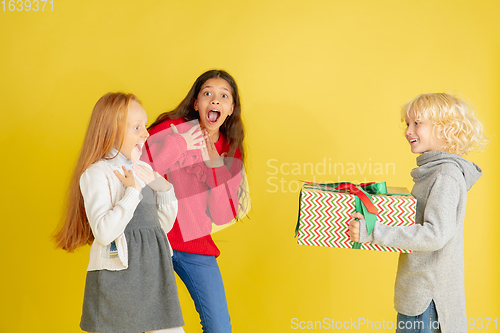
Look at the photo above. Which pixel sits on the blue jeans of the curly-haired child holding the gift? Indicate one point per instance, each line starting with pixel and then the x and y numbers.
pixel 427 322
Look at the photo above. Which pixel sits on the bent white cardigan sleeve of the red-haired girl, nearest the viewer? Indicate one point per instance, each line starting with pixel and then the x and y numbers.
pixel 107 222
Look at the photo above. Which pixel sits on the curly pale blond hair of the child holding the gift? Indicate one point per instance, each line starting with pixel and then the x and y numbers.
pixel 453 119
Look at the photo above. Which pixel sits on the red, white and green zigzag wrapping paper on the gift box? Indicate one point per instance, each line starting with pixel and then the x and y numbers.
pixel 324 216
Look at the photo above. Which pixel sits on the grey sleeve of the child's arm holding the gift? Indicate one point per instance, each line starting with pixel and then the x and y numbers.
pixel 440 220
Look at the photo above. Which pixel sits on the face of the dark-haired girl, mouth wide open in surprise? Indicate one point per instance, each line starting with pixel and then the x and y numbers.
pixel 214 104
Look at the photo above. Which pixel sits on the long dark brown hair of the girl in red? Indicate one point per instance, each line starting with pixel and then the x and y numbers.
pixel 232 128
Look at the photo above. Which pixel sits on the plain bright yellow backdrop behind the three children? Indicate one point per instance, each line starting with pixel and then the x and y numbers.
pixel 321 81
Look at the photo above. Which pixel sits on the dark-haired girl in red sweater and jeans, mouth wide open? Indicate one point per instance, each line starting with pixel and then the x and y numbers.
pixel 199 147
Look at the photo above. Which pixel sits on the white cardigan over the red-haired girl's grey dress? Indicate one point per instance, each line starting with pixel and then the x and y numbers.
pixel 110 206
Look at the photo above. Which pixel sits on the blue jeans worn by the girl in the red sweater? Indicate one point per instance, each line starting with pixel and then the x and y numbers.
pixel 201 275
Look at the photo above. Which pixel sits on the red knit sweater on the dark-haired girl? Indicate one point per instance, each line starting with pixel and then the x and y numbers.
pixel 205 195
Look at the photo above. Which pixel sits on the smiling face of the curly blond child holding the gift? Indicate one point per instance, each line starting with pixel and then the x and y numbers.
pixel 421 135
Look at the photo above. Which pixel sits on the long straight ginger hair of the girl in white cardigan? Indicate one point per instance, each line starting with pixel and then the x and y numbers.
pixel 106 131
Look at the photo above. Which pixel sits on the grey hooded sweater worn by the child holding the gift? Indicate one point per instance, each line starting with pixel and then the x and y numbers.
pixel 435 269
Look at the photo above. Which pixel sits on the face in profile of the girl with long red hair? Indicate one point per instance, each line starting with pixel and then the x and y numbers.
pixel 136 132
